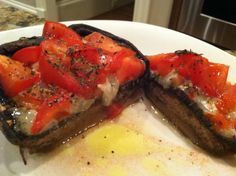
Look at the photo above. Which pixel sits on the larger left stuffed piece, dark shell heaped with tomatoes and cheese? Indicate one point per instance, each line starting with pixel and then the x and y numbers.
pixel 58 85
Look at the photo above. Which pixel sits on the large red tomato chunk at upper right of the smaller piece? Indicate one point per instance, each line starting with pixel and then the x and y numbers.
pixel 210 77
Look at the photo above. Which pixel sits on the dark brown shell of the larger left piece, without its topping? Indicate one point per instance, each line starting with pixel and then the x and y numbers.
pixel 76 124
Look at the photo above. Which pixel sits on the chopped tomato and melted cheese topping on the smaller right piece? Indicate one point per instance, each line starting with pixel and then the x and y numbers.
pixel 204 82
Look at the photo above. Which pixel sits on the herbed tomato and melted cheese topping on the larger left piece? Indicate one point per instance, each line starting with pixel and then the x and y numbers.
pixel 65 75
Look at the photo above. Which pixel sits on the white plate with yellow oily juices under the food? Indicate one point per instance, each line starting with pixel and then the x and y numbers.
pixel 150 146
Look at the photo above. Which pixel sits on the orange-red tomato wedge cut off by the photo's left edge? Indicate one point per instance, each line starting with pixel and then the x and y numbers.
pixel 15 77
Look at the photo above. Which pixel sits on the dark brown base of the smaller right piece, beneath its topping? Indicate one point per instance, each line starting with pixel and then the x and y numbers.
pixel 187 117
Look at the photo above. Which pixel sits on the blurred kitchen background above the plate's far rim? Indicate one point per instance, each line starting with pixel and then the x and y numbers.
pixel 199 18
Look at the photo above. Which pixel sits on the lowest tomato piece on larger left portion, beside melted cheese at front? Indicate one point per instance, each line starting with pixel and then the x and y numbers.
pixel 54 108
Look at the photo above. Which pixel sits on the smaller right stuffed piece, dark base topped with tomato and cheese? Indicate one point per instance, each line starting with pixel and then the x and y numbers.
pixel 186 105
